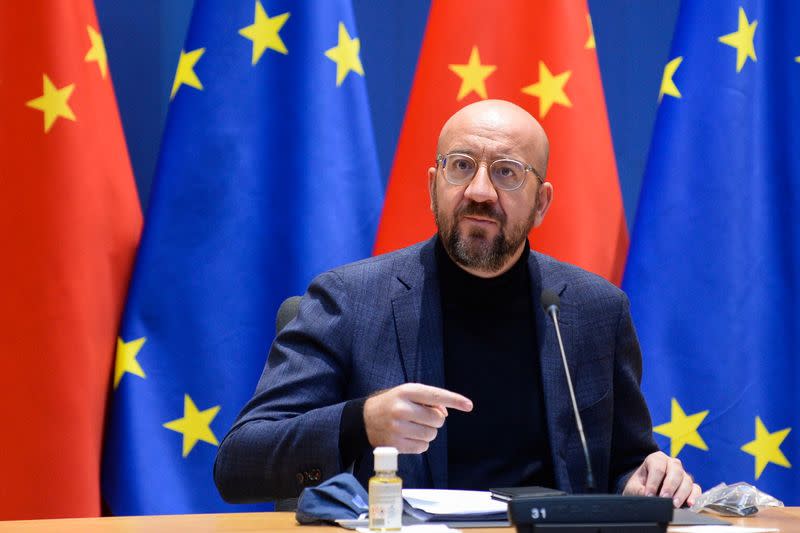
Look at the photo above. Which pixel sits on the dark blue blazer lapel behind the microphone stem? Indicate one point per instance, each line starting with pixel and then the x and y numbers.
pixel 554 382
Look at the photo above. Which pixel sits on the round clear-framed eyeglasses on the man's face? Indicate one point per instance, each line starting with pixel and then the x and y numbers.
pixel 506 174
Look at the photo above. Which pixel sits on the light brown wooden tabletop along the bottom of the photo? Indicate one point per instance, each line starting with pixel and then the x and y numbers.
pixel 786 519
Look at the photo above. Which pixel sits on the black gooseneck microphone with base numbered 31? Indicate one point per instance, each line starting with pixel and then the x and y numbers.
pixel 583 513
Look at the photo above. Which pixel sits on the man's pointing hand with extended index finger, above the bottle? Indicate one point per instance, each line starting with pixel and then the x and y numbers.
pixel 408 416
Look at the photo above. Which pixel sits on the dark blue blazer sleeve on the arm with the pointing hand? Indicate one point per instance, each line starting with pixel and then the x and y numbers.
pixel 287 436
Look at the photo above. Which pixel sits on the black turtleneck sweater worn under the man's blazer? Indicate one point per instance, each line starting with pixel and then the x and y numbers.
pixel 491 357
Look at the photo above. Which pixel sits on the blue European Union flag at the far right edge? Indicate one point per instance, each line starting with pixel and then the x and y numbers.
pixel 714 268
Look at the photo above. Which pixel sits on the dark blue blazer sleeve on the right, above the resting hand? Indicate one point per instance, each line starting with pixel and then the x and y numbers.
pixel 632 437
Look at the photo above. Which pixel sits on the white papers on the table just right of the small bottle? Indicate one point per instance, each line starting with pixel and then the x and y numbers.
pixel 454 502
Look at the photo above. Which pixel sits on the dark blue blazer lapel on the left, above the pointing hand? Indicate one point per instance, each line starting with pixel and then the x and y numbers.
pixel 418 325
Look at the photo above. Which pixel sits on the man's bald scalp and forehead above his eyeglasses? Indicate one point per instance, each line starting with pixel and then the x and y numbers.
pixel 508 124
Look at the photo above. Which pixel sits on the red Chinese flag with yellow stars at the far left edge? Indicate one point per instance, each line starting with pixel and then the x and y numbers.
pixel 70 222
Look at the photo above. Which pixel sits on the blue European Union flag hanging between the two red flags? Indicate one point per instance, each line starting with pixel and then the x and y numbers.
pixel 268 175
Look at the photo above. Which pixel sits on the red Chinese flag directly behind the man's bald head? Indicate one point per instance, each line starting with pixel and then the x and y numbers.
pixel 541 56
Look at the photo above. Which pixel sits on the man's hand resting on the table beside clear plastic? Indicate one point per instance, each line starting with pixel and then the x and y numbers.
pixel 661 475
